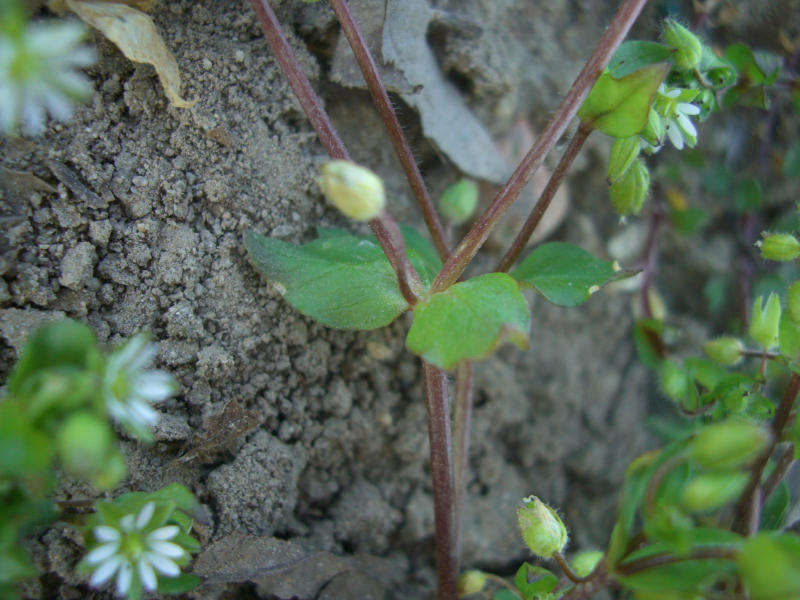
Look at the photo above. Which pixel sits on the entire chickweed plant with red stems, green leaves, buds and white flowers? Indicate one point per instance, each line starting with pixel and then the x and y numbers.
pixel 702 517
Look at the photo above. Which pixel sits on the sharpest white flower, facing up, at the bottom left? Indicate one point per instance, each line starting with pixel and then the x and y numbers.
pixel 135 549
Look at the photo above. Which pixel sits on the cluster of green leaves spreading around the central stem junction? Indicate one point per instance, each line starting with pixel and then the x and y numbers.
pixel 346 282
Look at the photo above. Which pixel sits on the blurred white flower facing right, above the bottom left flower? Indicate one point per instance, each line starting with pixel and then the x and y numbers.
pixel 129 391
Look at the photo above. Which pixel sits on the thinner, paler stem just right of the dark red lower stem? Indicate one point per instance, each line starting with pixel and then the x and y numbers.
pixel 462 419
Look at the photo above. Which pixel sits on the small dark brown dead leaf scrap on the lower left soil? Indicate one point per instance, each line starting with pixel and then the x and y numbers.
pixel 222 431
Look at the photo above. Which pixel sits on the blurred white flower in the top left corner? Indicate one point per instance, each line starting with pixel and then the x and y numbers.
pixel 39 65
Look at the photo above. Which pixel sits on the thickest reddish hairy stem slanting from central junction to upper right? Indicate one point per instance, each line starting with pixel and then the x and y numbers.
pixel 472 242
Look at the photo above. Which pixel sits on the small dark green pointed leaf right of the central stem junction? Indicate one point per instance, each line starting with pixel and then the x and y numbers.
pixel 564 274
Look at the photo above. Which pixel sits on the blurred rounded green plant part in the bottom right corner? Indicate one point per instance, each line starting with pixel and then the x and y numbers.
pixel 770 566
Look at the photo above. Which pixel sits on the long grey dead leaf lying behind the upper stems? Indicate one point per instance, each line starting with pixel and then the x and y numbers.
pixel 446 119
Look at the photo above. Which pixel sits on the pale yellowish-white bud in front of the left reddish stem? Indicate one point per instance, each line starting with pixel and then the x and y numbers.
pixel 353 189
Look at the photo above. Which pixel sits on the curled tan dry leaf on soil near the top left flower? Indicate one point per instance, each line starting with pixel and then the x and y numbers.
pixel 135 34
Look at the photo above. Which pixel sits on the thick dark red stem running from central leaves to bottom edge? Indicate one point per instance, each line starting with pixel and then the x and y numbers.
pixel 439 433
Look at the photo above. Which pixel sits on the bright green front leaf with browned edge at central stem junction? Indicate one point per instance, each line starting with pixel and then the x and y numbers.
pixel 469 320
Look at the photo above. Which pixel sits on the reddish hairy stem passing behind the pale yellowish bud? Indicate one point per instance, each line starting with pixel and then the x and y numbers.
pixel 383 226
